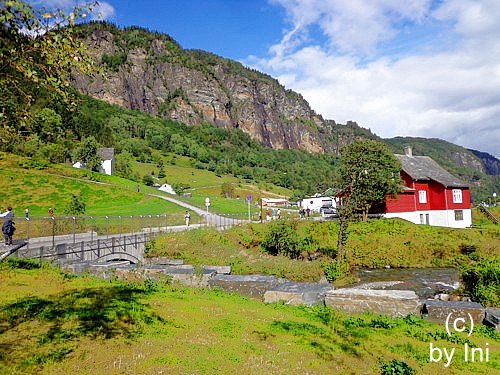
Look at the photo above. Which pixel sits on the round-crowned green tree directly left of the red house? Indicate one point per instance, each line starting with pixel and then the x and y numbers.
pixel 367 172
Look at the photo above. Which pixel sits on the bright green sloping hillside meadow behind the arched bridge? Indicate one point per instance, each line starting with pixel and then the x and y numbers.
pixel 39 190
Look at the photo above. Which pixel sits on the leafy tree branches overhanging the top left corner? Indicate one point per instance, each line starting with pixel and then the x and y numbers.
pixel 38 51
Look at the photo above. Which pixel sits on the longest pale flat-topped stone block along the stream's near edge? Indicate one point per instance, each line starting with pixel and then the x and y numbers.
pixel 386 302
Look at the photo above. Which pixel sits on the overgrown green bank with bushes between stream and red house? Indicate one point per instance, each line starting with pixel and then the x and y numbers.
pixel 305 250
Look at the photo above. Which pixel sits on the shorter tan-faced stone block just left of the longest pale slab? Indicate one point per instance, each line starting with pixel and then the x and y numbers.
pixel 298 293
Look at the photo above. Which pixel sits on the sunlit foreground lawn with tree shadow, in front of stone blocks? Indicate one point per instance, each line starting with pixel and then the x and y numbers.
pixel 52 323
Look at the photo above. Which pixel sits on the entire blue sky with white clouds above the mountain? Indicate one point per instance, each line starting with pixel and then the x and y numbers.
pixel 401 68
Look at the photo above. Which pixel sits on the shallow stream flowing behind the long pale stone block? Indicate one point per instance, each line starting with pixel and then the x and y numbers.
pixel 425 282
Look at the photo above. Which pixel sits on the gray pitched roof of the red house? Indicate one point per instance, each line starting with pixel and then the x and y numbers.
pixel 424 168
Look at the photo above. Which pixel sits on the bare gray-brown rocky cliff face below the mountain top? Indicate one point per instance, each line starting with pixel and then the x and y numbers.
pixel 194 87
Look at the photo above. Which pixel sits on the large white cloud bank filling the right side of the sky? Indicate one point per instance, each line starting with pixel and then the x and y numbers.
pixel 446 88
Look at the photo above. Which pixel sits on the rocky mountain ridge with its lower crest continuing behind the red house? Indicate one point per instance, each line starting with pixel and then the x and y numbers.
pixel 152 73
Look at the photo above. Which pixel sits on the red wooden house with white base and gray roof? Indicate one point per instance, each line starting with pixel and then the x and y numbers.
pixel 430 195
